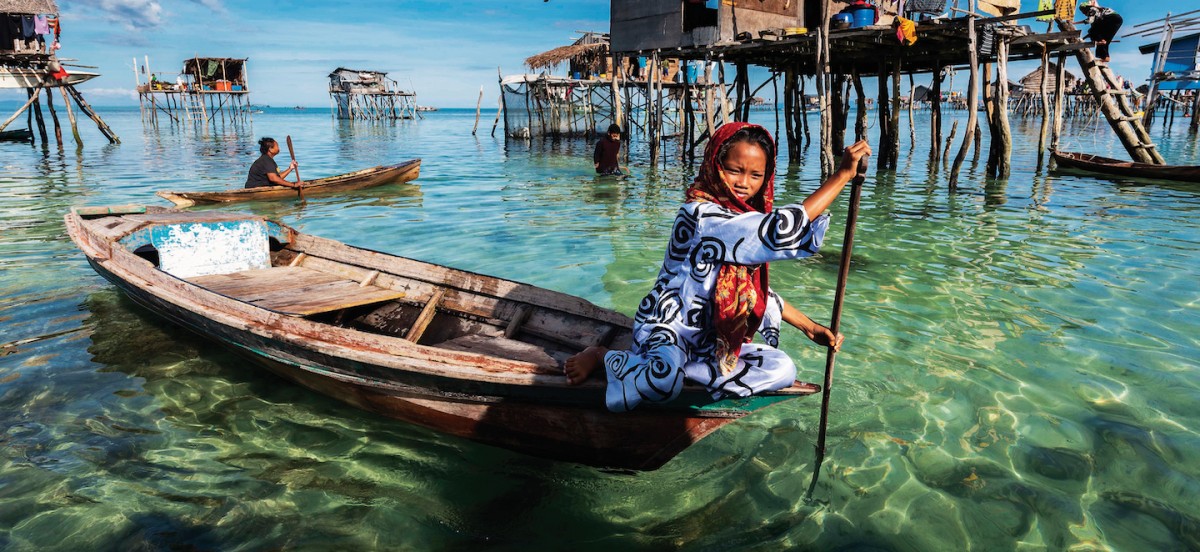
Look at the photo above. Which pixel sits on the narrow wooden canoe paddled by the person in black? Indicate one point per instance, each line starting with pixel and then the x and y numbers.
pixel 344 183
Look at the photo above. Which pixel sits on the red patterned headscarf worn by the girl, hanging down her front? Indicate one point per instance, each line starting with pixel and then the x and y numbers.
pixel 741 293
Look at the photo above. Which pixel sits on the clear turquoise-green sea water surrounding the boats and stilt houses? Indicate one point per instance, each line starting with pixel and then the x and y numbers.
pixel 1021 369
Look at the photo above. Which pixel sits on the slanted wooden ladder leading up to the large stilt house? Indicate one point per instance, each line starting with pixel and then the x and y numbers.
pixel 1114 104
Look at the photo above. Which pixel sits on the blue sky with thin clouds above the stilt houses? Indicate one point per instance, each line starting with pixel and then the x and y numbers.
pixel 445 51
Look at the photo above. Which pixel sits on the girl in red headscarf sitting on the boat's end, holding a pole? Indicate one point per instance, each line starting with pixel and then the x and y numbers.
pixel 712 292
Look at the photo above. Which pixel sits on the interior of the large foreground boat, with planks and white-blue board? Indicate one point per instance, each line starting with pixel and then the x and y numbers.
pixel 261 263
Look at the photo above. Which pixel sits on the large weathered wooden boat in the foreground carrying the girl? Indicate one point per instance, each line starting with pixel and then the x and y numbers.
pixel 463 353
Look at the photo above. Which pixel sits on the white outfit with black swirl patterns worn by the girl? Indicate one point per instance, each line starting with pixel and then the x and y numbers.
pixel 674 333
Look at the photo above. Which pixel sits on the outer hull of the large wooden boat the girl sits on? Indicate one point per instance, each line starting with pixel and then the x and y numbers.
pixel 535 415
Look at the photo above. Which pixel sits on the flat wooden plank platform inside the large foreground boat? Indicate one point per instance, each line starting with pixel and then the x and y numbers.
pixel 295 291
